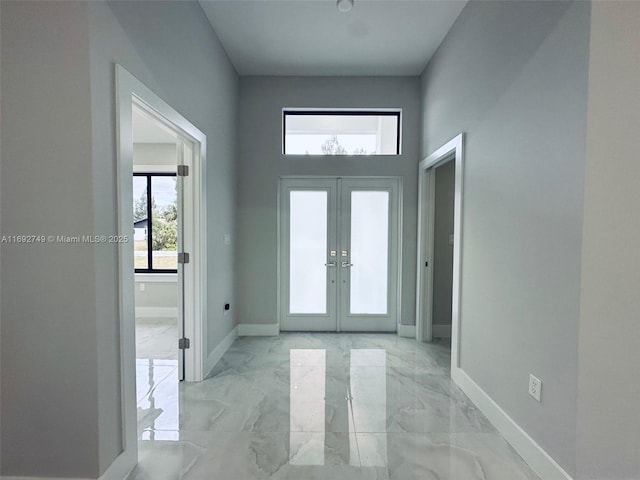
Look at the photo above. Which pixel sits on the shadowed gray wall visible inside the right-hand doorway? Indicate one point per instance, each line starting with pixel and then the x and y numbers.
pixel 442 251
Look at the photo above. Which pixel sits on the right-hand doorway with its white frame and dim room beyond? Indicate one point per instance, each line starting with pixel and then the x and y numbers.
pixel 440 193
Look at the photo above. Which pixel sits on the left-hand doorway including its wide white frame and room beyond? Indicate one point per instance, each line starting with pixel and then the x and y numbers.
pixel 161 158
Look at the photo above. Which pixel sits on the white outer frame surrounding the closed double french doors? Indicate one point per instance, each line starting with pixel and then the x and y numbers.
pixel 397 251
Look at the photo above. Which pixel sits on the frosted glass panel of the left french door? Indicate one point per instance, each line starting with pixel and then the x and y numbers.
pixel 308 252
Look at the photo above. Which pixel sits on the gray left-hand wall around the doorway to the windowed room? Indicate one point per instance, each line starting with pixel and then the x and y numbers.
pixel 61 321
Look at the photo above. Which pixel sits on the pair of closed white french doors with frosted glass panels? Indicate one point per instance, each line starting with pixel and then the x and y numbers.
pixel 339 252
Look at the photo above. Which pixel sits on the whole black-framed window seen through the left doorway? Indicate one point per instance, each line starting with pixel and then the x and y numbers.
pixel 155 222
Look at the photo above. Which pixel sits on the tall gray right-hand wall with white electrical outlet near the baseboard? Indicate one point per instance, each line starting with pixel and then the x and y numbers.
pixel 513 77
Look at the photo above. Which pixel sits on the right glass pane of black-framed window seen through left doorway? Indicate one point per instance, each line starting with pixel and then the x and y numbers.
pixel 164 233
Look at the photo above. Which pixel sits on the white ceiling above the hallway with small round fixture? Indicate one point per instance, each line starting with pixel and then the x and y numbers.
pixel 311 37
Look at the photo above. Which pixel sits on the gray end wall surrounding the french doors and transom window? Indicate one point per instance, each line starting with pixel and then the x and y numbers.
pixel 261 163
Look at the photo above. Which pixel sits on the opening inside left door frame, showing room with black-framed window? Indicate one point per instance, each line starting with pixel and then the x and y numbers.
pixel 157 219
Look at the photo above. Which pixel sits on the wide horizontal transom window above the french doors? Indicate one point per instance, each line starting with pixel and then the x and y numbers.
pixel 341 132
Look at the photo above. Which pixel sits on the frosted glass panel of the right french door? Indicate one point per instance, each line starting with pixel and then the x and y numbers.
pixel 369 252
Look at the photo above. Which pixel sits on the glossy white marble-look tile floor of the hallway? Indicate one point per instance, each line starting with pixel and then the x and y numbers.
pixel 318 406
